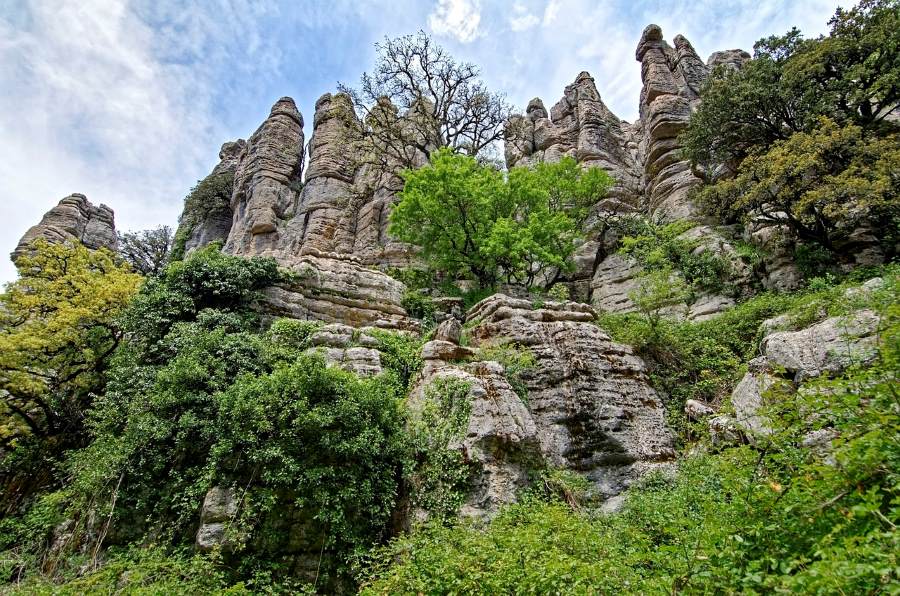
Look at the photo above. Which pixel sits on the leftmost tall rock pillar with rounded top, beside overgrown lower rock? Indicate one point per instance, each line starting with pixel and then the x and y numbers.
pixel 266 181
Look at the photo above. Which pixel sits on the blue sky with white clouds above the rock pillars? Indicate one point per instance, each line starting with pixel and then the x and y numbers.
pixel 129 102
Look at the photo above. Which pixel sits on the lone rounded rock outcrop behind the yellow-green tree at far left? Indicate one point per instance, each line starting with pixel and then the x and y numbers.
pixel 73 218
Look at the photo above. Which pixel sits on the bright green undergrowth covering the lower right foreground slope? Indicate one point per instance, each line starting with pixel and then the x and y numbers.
pixel 775 517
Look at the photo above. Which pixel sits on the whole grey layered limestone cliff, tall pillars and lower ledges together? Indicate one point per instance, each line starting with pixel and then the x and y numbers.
pixel 590 406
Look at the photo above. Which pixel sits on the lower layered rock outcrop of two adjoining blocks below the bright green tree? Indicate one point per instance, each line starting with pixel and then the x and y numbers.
pixel 589 407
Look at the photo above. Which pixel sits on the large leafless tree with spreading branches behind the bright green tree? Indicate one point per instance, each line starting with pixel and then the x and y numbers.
pixel 419 99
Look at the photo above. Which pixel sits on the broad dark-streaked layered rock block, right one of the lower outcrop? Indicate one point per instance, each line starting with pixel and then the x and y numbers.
pixel 590 398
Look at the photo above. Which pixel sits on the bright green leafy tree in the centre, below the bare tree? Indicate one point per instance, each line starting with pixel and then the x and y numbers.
pixel 473 222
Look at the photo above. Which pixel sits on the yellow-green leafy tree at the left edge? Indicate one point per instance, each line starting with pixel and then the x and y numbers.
pixel 58 328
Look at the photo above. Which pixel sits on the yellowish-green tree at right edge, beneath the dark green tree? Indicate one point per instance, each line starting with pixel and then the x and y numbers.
pixel 822 185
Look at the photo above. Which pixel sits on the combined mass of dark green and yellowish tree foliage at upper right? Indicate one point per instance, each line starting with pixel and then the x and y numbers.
pixel 802 136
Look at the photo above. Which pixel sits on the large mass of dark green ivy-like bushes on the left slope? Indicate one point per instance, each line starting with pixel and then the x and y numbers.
pixel 198 397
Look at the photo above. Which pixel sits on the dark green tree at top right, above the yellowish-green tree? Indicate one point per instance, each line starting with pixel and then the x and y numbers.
pixel 851 76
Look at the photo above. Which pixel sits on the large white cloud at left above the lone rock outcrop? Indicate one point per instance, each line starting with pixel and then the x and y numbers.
pixel 86 108
